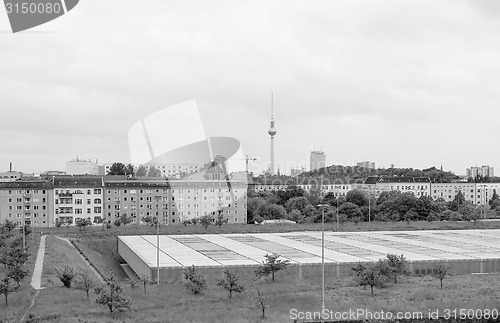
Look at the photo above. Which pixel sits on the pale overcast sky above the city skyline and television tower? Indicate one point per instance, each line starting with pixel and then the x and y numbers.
pixel 410 83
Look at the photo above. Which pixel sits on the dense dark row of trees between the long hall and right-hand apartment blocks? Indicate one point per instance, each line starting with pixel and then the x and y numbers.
pixel 302 207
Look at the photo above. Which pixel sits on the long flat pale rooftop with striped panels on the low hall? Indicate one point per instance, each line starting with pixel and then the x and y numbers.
pixel 220 250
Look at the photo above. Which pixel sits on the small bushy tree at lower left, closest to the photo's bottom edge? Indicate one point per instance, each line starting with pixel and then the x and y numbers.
pixel 112 295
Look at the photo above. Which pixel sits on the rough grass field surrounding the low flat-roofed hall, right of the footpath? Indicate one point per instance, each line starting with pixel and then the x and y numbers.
pixel 173 303
